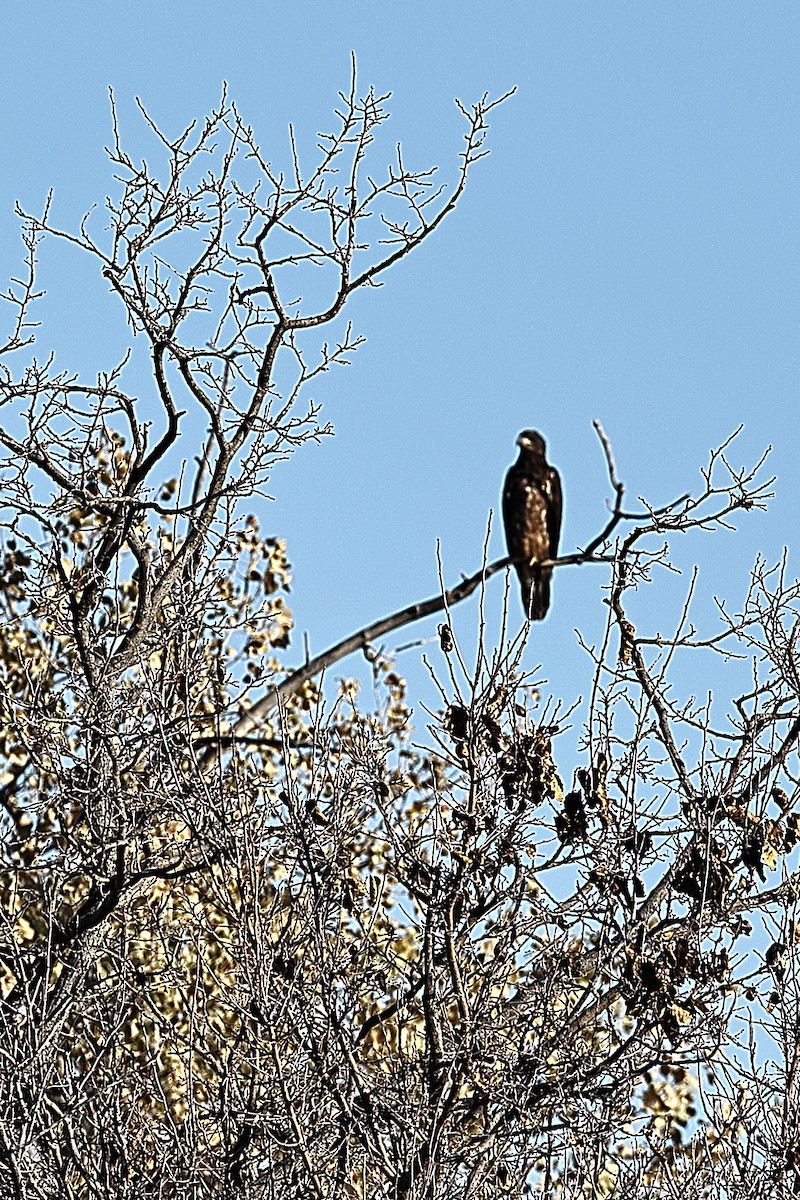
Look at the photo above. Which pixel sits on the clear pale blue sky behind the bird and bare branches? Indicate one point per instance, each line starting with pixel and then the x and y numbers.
pixel 630 253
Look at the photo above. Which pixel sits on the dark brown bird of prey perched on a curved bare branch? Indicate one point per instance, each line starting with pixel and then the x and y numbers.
pixel 532 513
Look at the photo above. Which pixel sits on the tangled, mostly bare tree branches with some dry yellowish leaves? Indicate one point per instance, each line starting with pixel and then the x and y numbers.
pixel 260 944
